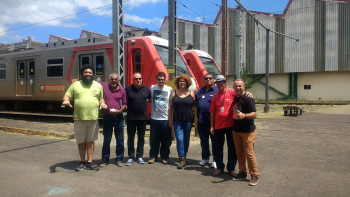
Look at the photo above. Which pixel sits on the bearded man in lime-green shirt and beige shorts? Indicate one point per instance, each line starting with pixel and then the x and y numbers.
pixel 87 95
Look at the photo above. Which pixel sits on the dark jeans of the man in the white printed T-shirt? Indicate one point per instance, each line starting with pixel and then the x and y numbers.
pixel 160 136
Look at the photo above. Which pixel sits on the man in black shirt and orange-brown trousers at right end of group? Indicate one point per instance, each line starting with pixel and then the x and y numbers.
pixel 244 133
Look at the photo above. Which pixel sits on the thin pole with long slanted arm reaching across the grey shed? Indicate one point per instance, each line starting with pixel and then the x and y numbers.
pixel 266 107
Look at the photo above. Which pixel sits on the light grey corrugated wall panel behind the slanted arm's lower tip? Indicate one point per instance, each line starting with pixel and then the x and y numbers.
pixel 300 23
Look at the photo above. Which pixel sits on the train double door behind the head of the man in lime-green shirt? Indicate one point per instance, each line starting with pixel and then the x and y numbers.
pixel 96 61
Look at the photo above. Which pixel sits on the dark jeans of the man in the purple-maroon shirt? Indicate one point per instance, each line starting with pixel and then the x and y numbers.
pixel 109 123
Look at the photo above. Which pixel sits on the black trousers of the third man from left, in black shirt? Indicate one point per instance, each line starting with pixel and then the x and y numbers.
pixel 132 125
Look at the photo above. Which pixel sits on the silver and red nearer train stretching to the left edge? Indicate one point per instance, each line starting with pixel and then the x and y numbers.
pixel 37 78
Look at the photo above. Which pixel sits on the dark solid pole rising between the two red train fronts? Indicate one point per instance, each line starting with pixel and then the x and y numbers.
pixel 172 39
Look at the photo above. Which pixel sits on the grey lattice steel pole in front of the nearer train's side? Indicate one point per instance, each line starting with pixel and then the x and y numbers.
pixel 118 39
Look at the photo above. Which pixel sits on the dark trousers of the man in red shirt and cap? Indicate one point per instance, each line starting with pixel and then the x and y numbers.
pixel 219 149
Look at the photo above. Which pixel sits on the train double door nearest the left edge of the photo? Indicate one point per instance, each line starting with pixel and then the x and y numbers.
pixel 25 77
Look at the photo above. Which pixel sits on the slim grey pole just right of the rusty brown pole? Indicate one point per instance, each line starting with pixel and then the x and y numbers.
pixel 238 42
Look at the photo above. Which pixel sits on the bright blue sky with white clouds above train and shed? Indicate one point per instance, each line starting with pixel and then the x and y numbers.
pixel 66 18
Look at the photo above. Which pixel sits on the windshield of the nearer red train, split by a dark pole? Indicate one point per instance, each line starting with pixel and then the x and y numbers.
pixel 181 67
